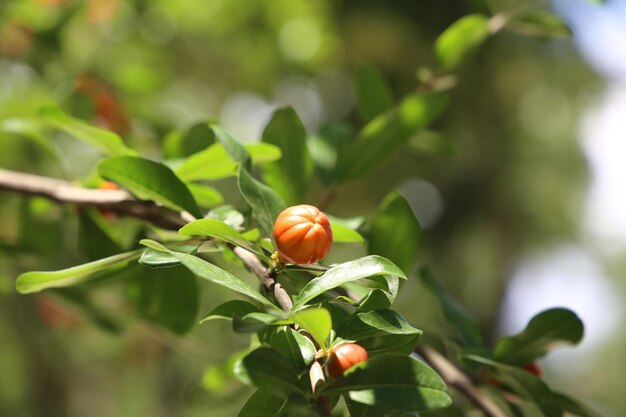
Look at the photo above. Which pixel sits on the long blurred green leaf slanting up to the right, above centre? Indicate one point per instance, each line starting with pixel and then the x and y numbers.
pixel 380 138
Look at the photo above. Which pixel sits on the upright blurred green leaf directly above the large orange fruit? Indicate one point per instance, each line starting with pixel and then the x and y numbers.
pixel 289 177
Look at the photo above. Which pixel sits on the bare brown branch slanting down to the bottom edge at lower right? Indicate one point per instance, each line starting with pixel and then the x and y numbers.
pixel 454 377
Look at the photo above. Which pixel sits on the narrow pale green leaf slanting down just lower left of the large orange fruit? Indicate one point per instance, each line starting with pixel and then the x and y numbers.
pixel 212 273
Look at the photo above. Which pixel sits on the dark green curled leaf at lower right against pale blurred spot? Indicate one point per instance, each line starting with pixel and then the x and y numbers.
pixel 547 330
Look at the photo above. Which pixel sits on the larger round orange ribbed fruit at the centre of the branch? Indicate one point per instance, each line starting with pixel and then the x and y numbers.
pixel 302 235
